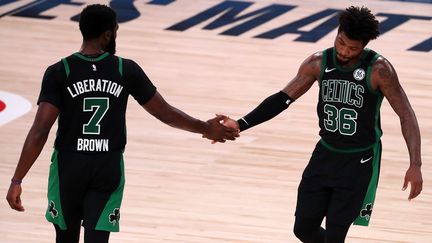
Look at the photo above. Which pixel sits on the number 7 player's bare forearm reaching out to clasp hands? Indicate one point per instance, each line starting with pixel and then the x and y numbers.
pixel 211 129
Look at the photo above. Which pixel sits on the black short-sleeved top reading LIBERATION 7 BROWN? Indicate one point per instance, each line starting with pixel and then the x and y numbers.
pixel 91 94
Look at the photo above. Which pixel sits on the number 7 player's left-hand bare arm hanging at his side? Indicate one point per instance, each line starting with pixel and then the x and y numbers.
pixel 36 138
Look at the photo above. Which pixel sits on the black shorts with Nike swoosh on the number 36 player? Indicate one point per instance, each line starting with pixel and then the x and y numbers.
pixel 340 186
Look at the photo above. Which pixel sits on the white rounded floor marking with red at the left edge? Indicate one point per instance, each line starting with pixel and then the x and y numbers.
pixel 12 106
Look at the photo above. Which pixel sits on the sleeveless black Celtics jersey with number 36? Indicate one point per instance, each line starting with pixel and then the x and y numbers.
pixel 348 107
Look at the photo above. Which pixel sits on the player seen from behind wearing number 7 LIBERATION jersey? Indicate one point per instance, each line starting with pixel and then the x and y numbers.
pixel 88 92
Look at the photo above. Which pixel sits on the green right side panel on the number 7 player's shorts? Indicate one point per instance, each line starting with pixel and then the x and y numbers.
pixel 110 216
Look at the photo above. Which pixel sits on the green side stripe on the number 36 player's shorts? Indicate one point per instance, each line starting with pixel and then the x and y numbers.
pixel 367 207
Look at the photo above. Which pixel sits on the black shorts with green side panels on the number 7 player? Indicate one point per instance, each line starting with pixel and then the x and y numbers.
pixel 86 188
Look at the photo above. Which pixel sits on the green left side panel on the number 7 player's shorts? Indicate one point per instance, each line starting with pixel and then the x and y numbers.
pixel 54 213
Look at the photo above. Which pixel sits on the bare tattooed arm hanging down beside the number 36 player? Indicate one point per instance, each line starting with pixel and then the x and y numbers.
pixel 385 78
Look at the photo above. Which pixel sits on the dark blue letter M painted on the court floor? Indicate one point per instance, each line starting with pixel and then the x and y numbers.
pixel 230 11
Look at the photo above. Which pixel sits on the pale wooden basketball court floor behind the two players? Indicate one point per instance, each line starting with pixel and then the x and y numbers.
pixel 181 188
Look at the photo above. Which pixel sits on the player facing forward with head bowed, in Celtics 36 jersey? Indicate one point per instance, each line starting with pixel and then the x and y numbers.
pixel 340 181
